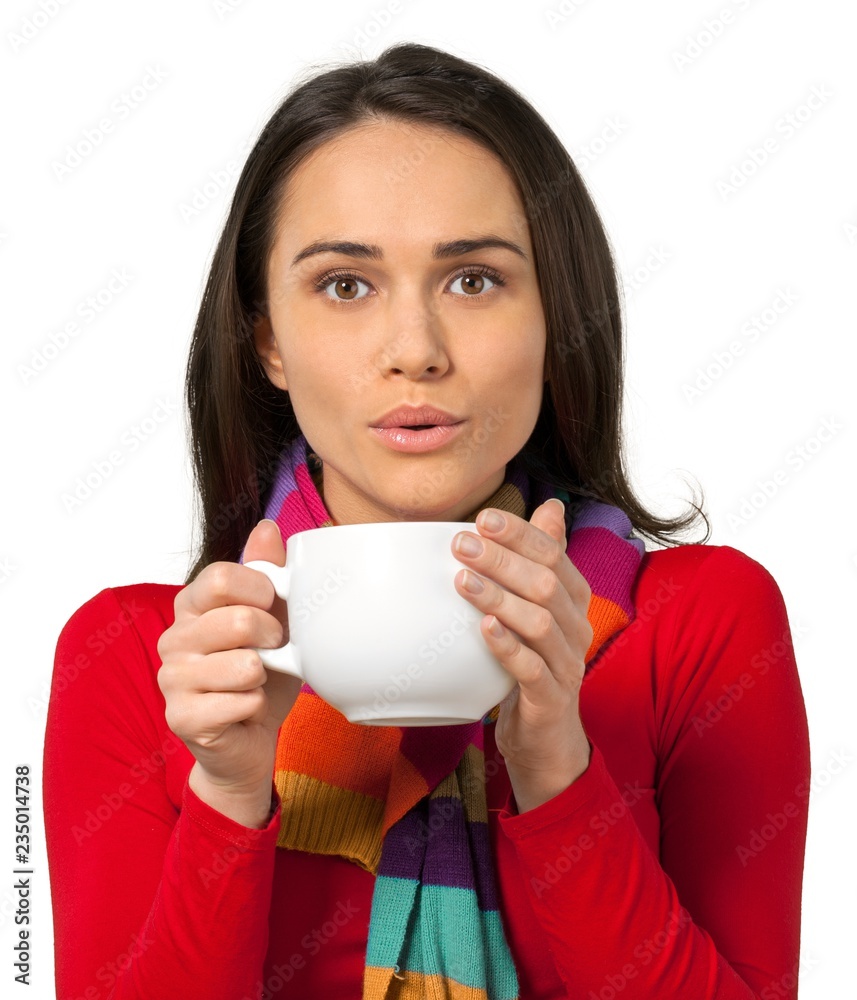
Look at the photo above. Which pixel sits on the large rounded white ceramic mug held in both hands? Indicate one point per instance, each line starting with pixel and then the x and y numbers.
pixel 377 628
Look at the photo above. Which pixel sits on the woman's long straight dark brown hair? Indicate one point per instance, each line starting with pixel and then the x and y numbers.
pixel 240 422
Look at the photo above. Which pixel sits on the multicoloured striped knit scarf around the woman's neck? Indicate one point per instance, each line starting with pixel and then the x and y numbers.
pixel 408 803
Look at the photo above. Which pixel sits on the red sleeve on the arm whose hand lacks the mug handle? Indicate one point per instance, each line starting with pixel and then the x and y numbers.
pixel 717 917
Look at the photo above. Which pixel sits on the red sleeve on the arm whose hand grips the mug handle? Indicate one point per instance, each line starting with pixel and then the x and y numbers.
pixel 149 900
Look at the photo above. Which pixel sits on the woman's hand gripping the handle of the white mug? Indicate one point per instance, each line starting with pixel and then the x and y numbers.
pixel 221 700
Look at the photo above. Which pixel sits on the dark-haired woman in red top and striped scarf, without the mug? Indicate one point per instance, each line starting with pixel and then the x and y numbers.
pixel 410 245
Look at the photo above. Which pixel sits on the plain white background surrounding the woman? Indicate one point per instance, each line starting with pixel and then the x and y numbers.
pixel 717 257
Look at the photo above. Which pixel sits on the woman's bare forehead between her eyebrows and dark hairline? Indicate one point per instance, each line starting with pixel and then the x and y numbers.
pixel 400 183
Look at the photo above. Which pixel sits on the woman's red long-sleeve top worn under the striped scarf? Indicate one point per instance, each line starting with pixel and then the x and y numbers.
pixel 672 867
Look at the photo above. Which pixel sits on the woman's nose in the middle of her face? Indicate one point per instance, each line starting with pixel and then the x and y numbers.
pixel 415 343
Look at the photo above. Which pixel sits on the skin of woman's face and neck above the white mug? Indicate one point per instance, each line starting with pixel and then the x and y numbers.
pixel 403 316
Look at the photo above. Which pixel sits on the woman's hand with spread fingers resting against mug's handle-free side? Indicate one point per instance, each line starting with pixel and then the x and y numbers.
pixel 544 638
